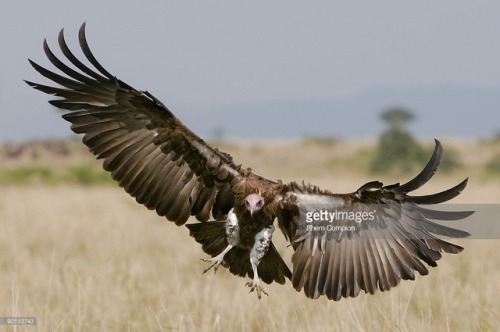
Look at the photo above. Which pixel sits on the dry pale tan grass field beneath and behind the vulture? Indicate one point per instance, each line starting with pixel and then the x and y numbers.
pixel 88 258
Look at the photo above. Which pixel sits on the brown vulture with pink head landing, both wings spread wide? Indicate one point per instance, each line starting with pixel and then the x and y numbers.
pixel 368 239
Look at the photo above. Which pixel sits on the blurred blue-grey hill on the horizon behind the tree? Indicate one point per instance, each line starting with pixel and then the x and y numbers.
pixel 469 112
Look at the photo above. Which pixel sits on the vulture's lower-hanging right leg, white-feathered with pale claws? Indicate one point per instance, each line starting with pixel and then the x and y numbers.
pixel 259 250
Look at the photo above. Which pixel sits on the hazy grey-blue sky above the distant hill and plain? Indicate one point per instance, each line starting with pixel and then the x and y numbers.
pixel 201 56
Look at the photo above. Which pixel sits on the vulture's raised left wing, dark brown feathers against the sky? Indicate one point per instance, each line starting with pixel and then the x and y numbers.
pixel 151 154
